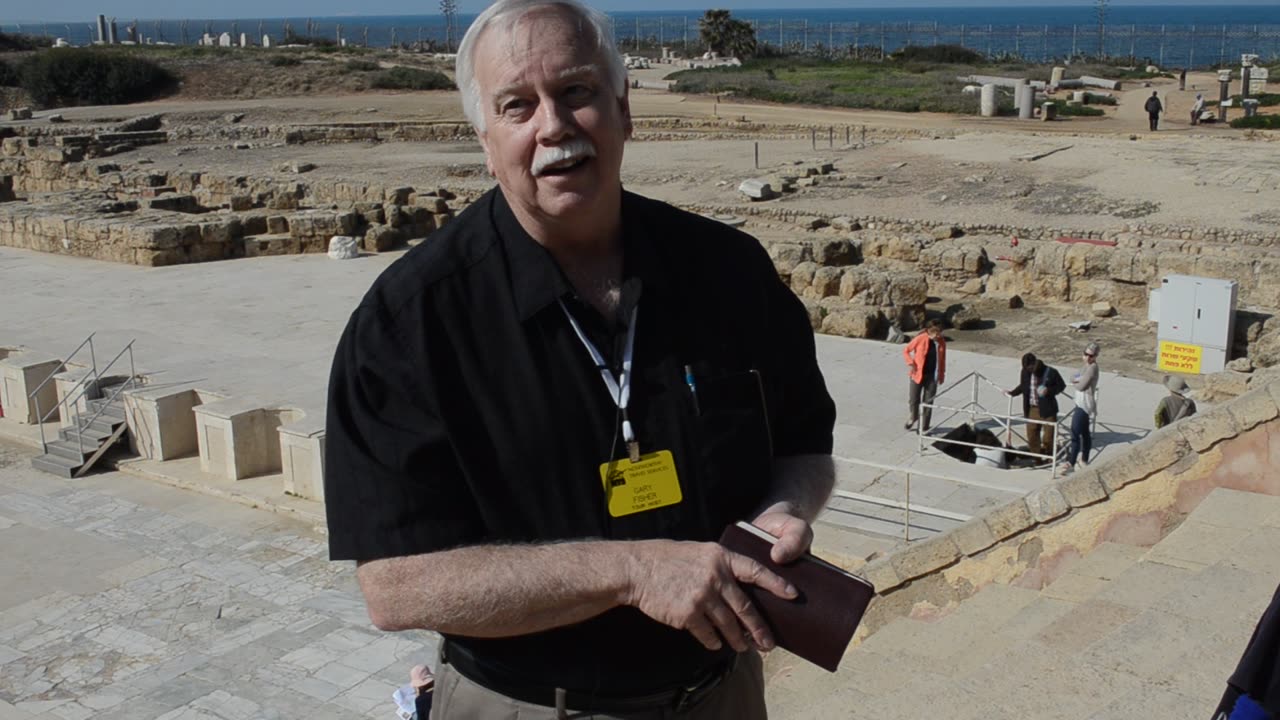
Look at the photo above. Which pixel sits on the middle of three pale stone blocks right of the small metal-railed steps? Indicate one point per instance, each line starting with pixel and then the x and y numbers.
pixel 240 439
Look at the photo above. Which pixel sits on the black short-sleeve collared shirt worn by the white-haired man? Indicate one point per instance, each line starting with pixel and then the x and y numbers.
pixel 464 409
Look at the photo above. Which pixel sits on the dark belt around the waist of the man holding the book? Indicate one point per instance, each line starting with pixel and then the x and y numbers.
pixel 679 699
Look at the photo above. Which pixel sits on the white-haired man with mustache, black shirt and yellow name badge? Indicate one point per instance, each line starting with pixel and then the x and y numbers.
pixel 541 421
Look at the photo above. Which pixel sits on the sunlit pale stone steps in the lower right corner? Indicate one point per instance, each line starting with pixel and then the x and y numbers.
pixel 1126 632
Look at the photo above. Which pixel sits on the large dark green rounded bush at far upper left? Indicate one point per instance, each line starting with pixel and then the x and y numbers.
pixel 93 78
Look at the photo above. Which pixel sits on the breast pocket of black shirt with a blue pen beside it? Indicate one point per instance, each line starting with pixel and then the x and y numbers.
pixel 735 445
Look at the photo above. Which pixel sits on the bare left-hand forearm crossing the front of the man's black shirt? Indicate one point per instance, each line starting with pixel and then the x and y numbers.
pixel 496 591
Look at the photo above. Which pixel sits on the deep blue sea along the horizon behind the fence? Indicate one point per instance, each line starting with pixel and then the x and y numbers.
pixel 1165 35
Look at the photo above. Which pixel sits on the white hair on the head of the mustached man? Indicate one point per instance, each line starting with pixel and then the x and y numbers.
pixel 509 12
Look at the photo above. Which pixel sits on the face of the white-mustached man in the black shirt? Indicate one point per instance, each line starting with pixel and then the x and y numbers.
pixel 554 129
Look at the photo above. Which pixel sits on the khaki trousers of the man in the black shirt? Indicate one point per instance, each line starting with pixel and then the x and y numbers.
pixel 740 696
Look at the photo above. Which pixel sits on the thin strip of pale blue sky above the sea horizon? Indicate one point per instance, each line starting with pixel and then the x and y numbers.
pixel 85 11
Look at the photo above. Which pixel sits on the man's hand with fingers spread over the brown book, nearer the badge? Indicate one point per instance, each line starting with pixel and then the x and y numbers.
pixel 694 586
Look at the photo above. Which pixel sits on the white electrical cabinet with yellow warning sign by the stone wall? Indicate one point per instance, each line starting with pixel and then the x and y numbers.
pixel 1197 323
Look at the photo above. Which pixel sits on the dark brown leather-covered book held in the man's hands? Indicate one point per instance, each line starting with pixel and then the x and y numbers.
pixel 821 622
